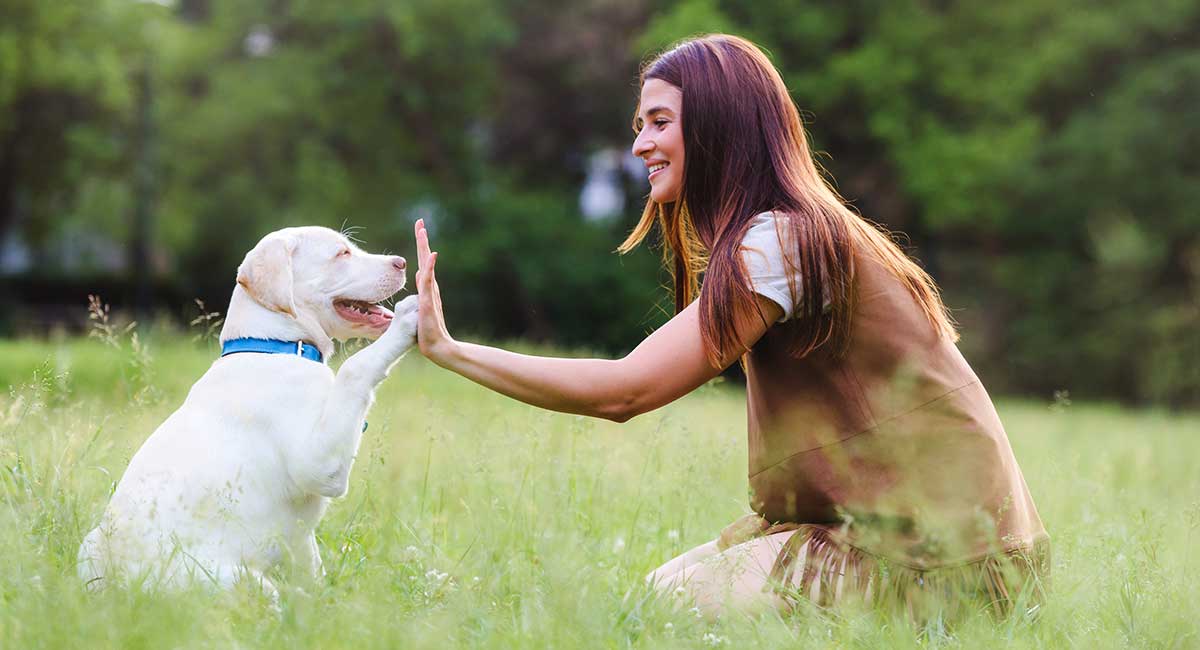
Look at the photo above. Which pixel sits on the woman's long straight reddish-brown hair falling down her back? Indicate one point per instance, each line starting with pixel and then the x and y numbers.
pixel 746 154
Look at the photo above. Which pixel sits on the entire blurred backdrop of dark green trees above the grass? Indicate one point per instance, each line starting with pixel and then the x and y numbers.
pixel 1039 158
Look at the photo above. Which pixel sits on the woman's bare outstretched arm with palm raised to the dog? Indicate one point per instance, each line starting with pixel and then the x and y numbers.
pixel 667 366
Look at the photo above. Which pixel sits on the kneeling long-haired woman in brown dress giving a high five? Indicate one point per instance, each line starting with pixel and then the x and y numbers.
pixel 879 467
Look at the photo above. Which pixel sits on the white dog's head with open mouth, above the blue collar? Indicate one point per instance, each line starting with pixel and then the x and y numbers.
pixel 321 279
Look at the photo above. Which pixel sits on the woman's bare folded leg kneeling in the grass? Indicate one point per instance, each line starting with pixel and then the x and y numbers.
pixel 735 580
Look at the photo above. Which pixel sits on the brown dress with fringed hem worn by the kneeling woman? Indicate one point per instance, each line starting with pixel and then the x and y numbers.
pixel 892 465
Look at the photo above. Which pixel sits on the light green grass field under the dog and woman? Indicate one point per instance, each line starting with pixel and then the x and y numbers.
pixel 475 521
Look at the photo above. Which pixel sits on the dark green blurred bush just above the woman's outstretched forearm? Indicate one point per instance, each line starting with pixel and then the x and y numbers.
pixel 527 263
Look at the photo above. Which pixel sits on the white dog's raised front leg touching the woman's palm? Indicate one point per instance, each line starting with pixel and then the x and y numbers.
pixel 323 465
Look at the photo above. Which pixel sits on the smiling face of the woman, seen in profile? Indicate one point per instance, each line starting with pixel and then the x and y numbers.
pixel 661 139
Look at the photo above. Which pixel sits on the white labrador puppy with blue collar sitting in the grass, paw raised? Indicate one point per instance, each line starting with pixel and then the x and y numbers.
pixel 235 483
